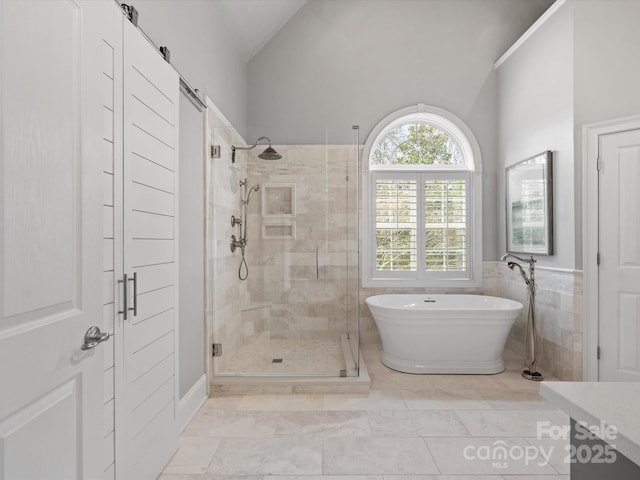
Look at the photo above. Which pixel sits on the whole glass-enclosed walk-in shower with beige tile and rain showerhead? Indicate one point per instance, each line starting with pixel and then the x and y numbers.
pixel 293 311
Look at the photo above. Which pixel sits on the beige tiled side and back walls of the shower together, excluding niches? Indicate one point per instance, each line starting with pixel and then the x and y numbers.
pixel 290 292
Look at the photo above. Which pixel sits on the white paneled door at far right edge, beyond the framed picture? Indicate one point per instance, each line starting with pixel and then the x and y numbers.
pixel 619 244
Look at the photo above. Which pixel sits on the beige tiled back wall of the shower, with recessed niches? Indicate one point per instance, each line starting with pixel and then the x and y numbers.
pixel 306 282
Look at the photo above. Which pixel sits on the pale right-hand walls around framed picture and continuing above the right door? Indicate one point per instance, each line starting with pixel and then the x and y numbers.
pixel 580 67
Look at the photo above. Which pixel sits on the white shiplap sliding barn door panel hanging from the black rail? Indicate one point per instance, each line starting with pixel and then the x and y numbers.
pixel 151 93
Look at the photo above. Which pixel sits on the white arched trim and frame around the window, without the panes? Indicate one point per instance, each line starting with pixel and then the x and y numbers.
pixel 470 151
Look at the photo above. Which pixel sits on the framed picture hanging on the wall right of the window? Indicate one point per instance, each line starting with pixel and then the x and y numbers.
pixel 529 198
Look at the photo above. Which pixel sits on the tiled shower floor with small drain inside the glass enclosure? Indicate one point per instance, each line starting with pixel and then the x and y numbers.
pixel 299 357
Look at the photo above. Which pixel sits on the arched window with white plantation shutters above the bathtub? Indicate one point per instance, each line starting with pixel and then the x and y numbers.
pixel 422 201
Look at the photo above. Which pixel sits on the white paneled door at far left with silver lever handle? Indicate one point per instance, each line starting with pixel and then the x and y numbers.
pixel 51 241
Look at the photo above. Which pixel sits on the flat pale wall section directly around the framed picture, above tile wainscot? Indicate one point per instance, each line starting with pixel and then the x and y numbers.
pixel 536 114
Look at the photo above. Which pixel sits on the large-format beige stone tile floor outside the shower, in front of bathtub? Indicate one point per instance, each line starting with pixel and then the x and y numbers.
pixel 409 427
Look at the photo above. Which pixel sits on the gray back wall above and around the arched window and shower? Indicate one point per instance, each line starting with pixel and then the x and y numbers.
pixel 354 62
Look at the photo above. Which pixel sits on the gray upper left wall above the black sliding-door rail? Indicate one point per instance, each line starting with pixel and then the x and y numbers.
pixel 201 49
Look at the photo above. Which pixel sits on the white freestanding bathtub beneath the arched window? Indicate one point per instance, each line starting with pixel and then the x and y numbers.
pixel 443 333
